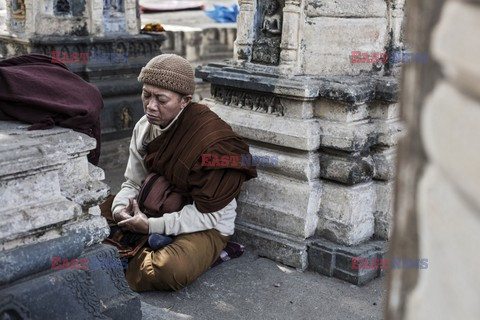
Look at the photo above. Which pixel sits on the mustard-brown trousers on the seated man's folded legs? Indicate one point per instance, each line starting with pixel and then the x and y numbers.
pixel 176 265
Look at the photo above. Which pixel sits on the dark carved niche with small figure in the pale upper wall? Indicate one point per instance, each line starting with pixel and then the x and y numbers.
pixel 266 47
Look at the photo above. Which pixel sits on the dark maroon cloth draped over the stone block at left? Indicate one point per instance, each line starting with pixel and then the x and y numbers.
pixel 45 94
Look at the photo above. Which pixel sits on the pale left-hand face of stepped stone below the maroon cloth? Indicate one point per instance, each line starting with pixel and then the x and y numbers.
pixel 28 168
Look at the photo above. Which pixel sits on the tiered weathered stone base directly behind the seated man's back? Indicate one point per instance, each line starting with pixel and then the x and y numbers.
pixel 335 140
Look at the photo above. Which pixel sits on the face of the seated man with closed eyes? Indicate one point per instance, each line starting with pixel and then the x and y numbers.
pixel 161 105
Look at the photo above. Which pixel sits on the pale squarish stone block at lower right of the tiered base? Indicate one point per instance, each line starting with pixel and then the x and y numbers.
pixel 346 213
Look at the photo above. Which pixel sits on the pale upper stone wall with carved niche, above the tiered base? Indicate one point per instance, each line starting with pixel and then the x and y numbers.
pixel 318 36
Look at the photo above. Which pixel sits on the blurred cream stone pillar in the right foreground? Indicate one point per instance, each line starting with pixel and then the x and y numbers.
pixel 437 218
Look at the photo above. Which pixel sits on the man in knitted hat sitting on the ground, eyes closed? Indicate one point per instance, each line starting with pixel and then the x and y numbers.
pixel 170 140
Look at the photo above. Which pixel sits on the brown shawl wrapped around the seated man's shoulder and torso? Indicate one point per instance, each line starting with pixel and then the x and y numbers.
pixel 176 154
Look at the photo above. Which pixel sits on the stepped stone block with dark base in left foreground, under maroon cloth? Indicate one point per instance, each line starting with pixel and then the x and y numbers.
pixel 50 196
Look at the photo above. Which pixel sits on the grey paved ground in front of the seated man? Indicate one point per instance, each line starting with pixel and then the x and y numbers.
pixel 257 288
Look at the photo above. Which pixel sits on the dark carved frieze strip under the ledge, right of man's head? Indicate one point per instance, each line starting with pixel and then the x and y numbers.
pixel 259 102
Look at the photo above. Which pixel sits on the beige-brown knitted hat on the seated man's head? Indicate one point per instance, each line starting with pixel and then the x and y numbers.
pixel 171 72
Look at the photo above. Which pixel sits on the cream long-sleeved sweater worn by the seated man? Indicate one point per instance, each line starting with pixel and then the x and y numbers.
pixel 188 219
